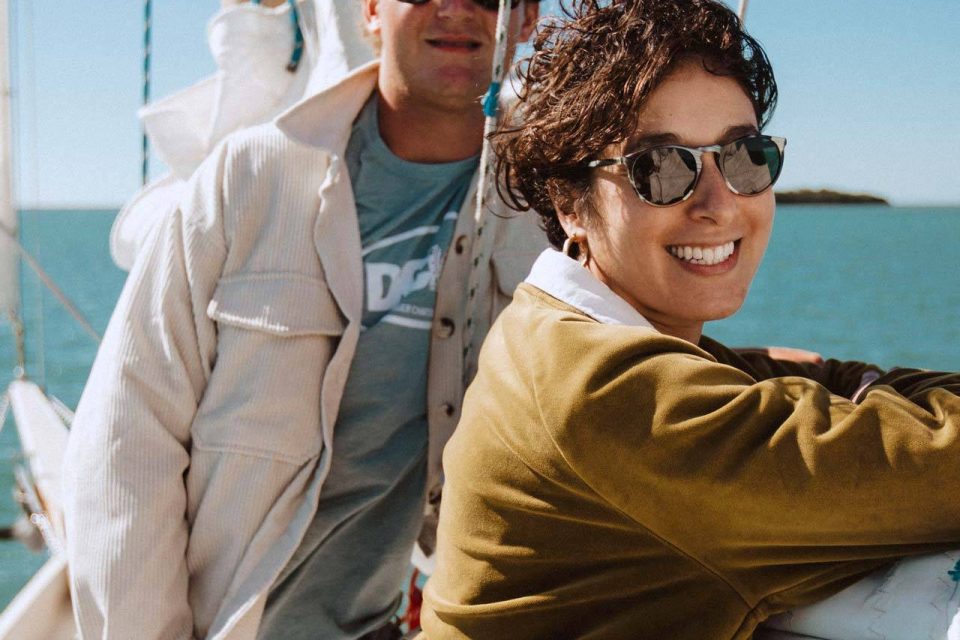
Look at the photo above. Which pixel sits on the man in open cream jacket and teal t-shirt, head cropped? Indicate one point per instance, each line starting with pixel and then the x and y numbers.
pixel 310 283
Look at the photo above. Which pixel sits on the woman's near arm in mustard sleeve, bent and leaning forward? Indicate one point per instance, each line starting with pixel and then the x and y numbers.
pixel 779 486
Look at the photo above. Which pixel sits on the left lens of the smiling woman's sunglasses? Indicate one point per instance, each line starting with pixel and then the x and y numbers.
pixel 664 175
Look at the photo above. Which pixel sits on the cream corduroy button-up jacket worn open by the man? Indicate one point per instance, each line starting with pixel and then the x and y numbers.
pixel 203 437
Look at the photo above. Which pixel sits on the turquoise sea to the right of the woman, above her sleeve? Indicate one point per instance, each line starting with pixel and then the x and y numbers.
pixel 860 282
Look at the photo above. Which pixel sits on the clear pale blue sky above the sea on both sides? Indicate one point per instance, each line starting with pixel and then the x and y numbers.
pixel 869 93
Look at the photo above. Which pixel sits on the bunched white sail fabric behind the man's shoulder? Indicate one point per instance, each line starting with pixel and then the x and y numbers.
pixel 251 45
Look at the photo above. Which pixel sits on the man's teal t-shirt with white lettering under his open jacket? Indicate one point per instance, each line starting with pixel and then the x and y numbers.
pixel 343 580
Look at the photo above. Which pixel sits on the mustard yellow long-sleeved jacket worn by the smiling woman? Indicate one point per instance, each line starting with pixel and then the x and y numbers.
pixel 608 481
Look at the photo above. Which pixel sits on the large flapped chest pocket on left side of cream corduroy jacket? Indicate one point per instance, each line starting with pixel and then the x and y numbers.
pixel 276 333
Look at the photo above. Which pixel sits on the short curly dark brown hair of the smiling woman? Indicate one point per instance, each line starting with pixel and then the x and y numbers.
pixel 590 75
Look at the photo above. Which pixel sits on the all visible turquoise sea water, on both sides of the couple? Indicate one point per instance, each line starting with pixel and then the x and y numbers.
pixel 854 282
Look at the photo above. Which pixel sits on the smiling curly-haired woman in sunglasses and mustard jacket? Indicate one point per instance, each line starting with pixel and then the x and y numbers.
pixel 615 473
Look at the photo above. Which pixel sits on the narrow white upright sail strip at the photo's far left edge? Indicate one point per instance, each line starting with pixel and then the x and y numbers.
pixel 9 256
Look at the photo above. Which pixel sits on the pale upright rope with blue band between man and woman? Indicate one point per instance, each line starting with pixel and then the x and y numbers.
pixel 478 250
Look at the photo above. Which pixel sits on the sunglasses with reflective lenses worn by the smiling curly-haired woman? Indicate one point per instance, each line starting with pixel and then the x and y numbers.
pixel 668 174
